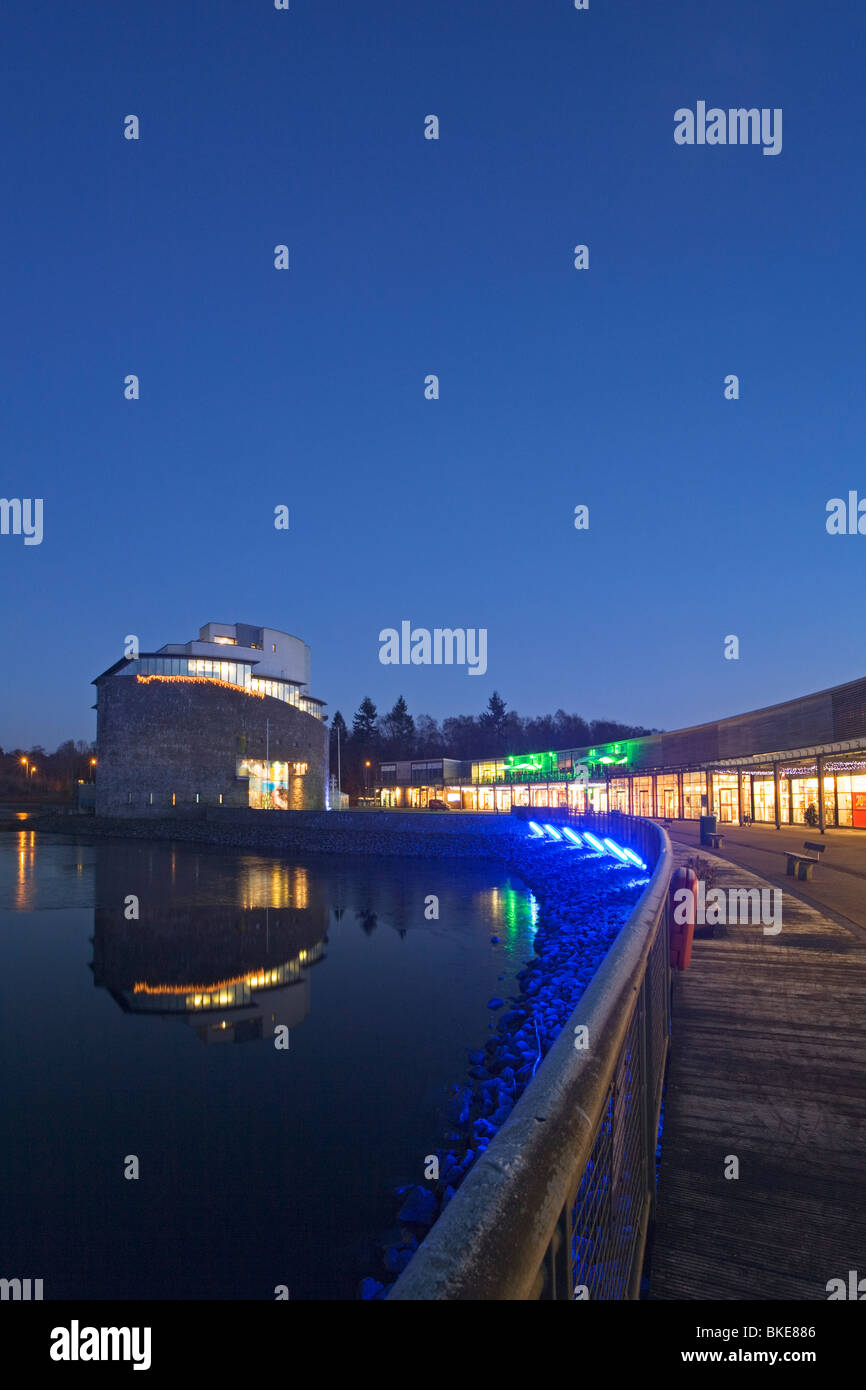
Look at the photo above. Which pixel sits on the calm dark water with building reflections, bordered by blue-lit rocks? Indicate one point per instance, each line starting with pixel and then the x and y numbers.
pixel 145 1038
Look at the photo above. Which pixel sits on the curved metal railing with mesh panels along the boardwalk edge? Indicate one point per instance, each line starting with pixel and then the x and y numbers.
pixel 561 1204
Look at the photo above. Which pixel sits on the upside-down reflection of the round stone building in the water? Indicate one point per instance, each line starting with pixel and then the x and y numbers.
pixel 168 945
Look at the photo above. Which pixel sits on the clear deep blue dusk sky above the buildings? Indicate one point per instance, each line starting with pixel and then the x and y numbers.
pixel 452 258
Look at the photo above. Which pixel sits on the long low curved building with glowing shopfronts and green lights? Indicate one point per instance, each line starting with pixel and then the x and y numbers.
pixel 765 767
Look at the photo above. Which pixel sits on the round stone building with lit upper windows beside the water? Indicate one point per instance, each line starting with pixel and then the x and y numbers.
pixel 224 721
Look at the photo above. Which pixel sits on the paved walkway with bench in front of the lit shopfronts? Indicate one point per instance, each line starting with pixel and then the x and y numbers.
pixel 838 885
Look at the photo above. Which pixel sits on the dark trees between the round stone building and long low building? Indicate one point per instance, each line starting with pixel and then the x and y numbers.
pixel 498 730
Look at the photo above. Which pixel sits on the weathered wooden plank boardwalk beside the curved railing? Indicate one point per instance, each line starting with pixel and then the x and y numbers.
pixel 768 1065
